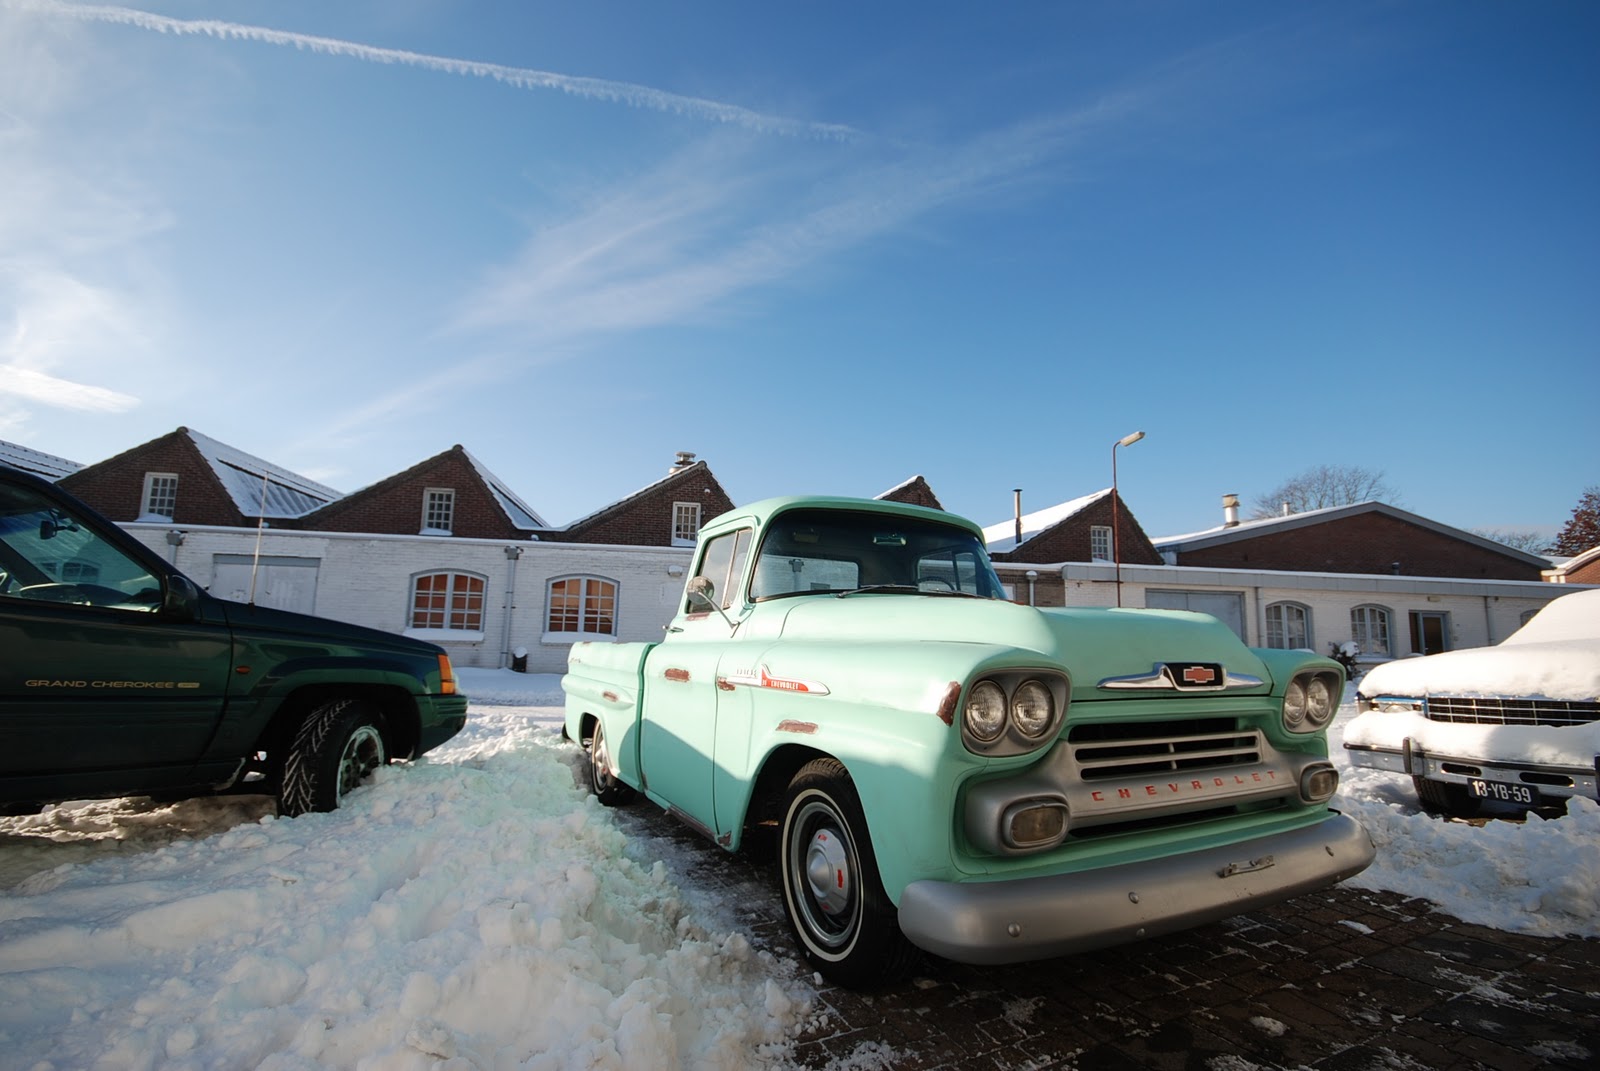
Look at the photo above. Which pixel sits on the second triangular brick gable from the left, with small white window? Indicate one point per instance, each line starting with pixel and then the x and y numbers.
pixel 394 507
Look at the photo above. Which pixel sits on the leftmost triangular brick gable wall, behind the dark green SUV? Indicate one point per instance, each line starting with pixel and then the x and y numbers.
pixel 116 487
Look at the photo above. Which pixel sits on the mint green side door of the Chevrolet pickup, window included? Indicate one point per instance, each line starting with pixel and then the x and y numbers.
pixel 679 729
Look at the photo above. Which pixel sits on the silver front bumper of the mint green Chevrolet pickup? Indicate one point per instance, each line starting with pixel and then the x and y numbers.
pixel 1039 918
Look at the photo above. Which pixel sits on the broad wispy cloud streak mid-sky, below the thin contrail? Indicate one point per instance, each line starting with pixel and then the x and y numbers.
pixel 674 244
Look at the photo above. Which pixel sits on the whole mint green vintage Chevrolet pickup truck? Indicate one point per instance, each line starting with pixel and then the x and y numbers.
pixel 948 771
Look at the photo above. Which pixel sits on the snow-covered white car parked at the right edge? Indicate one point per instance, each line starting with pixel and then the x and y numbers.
pixel 1518 723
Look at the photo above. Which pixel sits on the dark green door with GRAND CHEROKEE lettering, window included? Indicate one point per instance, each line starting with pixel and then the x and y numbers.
pixel 94 675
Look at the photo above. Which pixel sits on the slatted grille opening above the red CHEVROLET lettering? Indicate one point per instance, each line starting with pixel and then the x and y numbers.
pixel 1116 750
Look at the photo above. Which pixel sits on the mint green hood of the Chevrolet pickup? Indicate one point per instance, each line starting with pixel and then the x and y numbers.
pixel 1090 644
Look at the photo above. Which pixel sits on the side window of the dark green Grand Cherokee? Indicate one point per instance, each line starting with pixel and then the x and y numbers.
pixel 47 555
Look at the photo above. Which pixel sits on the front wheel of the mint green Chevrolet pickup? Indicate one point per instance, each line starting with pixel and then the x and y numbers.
pixel 836 902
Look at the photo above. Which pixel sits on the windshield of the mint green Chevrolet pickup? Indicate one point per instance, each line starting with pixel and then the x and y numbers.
pixel 817 552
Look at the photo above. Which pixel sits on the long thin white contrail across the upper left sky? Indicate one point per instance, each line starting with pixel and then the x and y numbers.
pixel 522 78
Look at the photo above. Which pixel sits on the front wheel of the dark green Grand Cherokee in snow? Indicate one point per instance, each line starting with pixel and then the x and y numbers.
pixel 334 752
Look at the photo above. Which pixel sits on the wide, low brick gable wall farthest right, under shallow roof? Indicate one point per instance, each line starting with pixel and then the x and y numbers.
pixel 1364 544
